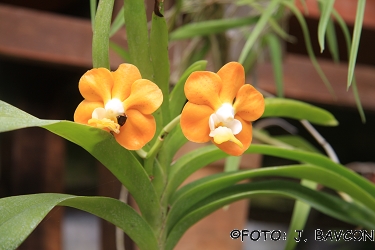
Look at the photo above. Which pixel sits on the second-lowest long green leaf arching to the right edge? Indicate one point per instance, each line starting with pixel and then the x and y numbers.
pixel 194 192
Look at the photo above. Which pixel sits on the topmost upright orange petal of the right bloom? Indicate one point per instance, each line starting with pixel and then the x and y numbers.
pixel 233 77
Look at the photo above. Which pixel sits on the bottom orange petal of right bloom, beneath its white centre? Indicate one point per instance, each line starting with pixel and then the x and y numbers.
pixel 245 137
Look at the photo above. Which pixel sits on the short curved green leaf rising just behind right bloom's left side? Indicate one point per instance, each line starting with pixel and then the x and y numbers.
pixel 177 98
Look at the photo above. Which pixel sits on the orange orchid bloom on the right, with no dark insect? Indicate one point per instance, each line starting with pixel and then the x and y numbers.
pixel 221 108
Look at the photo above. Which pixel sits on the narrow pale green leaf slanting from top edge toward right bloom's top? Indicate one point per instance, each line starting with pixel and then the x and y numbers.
pixel 255 33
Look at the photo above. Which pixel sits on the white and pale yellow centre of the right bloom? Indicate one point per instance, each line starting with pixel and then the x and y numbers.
pixel 223 126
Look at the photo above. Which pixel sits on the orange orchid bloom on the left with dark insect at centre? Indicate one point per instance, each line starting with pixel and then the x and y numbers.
pixel 120 102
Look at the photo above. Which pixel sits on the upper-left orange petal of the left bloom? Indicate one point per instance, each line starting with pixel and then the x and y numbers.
pixel 96 84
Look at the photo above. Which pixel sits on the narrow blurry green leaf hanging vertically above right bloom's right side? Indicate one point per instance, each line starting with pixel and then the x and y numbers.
pixel 276 59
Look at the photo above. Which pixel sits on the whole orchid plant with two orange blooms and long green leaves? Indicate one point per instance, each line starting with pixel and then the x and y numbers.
pixel 133 124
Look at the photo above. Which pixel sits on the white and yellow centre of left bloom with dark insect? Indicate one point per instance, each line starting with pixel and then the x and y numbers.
pixel 112 116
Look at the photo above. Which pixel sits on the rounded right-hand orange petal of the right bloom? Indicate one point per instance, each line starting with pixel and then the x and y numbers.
pixel 249 104
